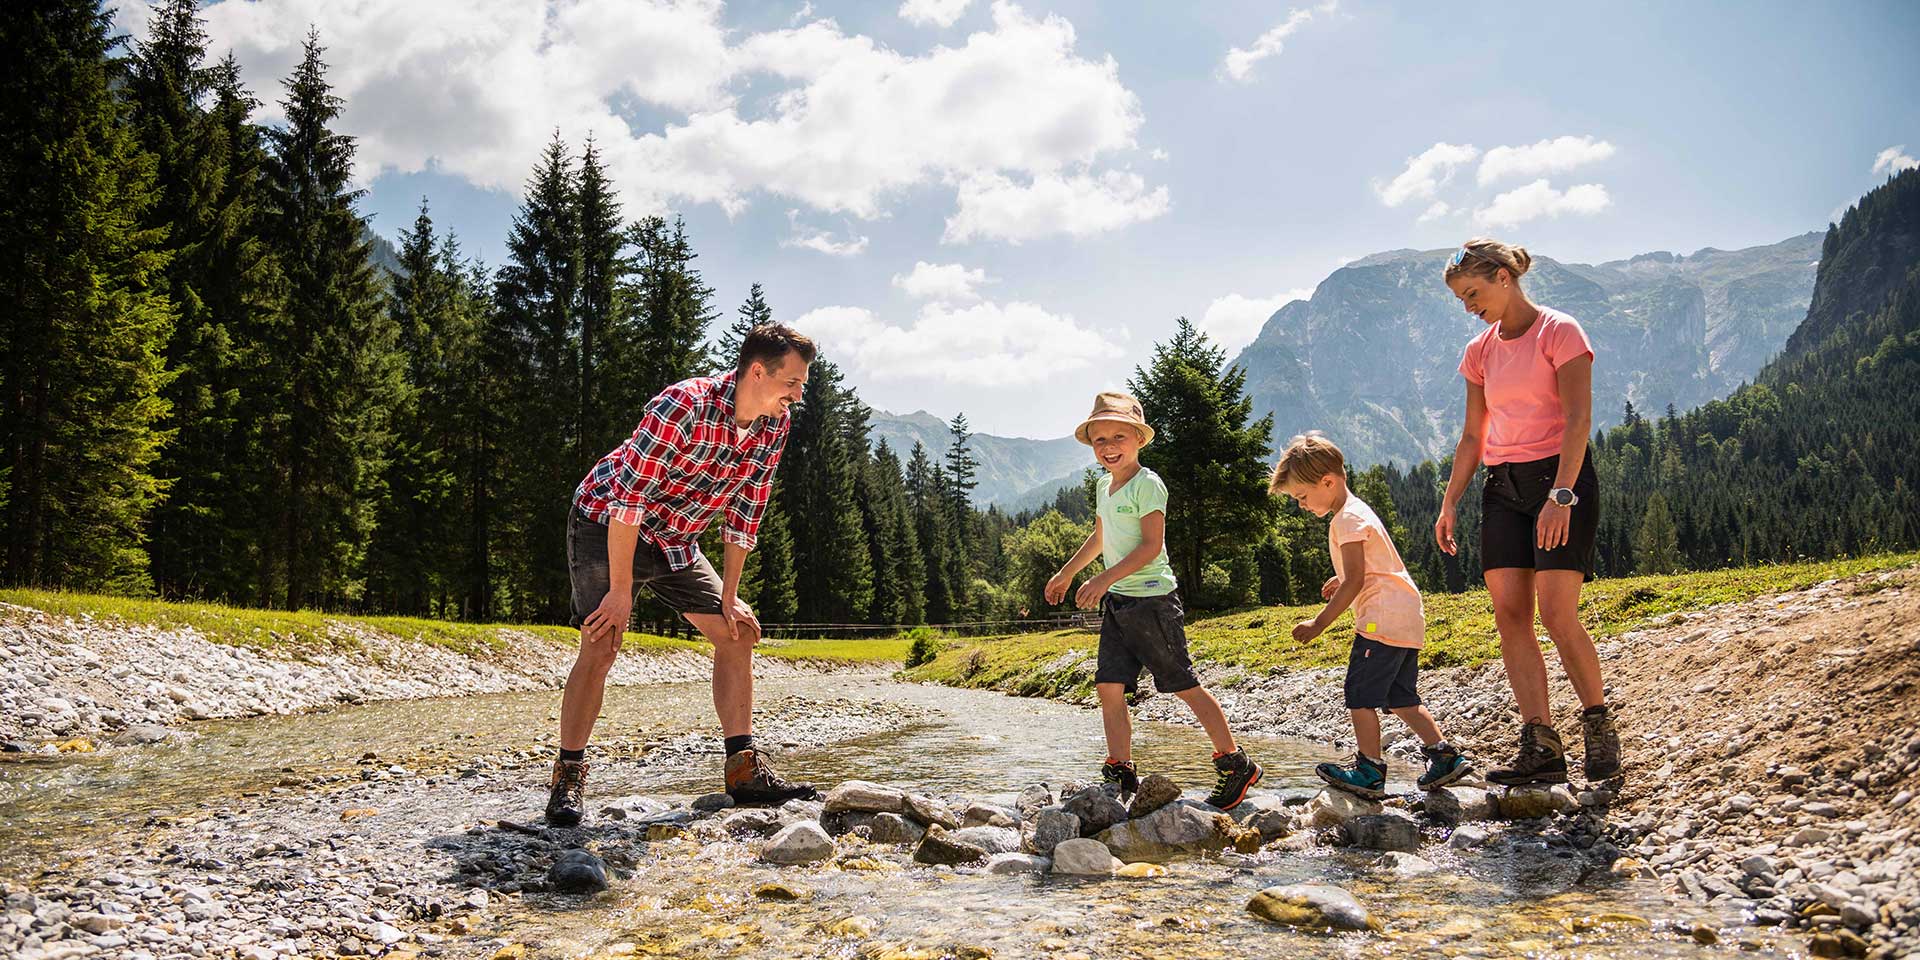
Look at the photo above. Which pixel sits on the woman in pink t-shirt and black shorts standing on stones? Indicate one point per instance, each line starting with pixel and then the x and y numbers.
pixel 1529 412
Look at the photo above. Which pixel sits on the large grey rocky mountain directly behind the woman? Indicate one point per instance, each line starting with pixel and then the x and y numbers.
pixel 1372 356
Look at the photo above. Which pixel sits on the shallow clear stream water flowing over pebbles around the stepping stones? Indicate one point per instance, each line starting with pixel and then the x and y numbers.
pixel 696 900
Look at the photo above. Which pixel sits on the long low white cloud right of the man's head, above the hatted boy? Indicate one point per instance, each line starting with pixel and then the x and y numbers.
pixel 982 345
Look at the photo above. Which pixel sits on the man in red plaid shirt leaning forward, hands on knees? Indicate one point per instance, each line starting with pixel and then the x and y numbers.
pixel 706 448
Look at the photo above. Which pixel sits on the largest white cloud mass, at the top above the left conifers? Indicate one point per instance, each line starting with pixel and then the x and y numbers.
pixel 477 87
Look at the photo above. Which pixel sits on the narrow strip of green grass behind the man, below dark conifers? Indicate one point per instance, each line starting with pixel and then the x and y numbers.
pixel 306 631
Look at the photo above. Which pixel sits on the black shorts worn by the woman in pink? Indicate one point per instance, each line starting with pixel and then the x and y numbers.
pixel 1510 508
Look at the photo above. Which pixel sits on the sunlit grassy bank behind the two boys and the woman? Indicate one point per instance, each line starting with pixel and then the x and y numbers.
pixel 1460 629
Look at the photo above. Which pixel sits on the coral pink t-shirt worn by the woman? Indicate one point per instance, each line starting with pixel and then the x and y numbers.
pixel 1525 420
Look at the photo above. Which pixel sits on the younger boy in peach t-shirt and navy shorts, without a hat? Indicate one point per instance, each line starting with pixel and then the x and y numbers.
pixel 1389 619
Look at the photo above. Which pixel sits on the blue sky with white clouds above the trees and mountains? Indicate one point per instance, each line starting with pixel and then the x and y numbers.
pixel 1074 176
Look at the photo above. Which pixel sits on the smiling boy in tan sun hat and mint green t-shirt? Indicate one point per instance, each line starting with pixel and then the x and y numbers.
pixel 1141 621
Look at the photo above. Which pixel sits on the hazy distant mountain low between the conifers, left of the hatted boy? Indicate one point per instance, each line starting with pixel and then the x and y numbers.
pixel 1013 469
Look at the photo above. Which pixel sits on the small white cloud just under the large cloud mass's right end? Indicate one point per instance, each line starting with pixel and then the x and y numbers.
pixel 997 208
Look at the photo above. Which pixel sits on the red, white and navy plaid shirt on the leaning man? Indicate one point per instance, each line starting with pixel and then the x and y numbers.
pixel 686 464
